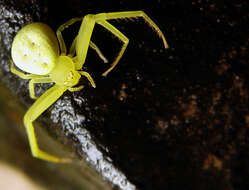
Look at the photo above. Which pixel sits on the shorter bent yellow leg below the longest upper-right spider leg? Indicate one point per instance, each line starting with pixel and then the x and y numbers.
pixel 118 34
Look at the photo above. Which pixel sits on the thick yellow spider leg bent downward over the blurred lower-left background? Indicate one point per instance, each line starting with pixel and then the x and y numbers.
pixel 40 105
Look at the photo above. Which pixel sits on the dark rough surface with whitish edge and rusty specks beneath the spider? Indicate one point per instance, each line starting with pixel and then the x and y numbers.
pixel 173 118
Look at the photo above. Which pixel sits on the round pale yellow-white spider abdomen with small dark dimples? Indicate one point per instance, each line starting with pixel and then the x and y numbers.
pixel 35 49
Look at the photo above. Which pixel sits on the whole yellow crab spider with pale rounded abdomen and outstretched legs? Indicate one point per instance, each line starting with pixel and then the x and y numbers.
pixel 43 57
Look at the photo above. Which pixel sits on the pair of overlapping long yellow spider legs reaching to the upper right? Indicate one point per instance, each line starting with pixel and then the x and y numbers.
pixel 87 27
